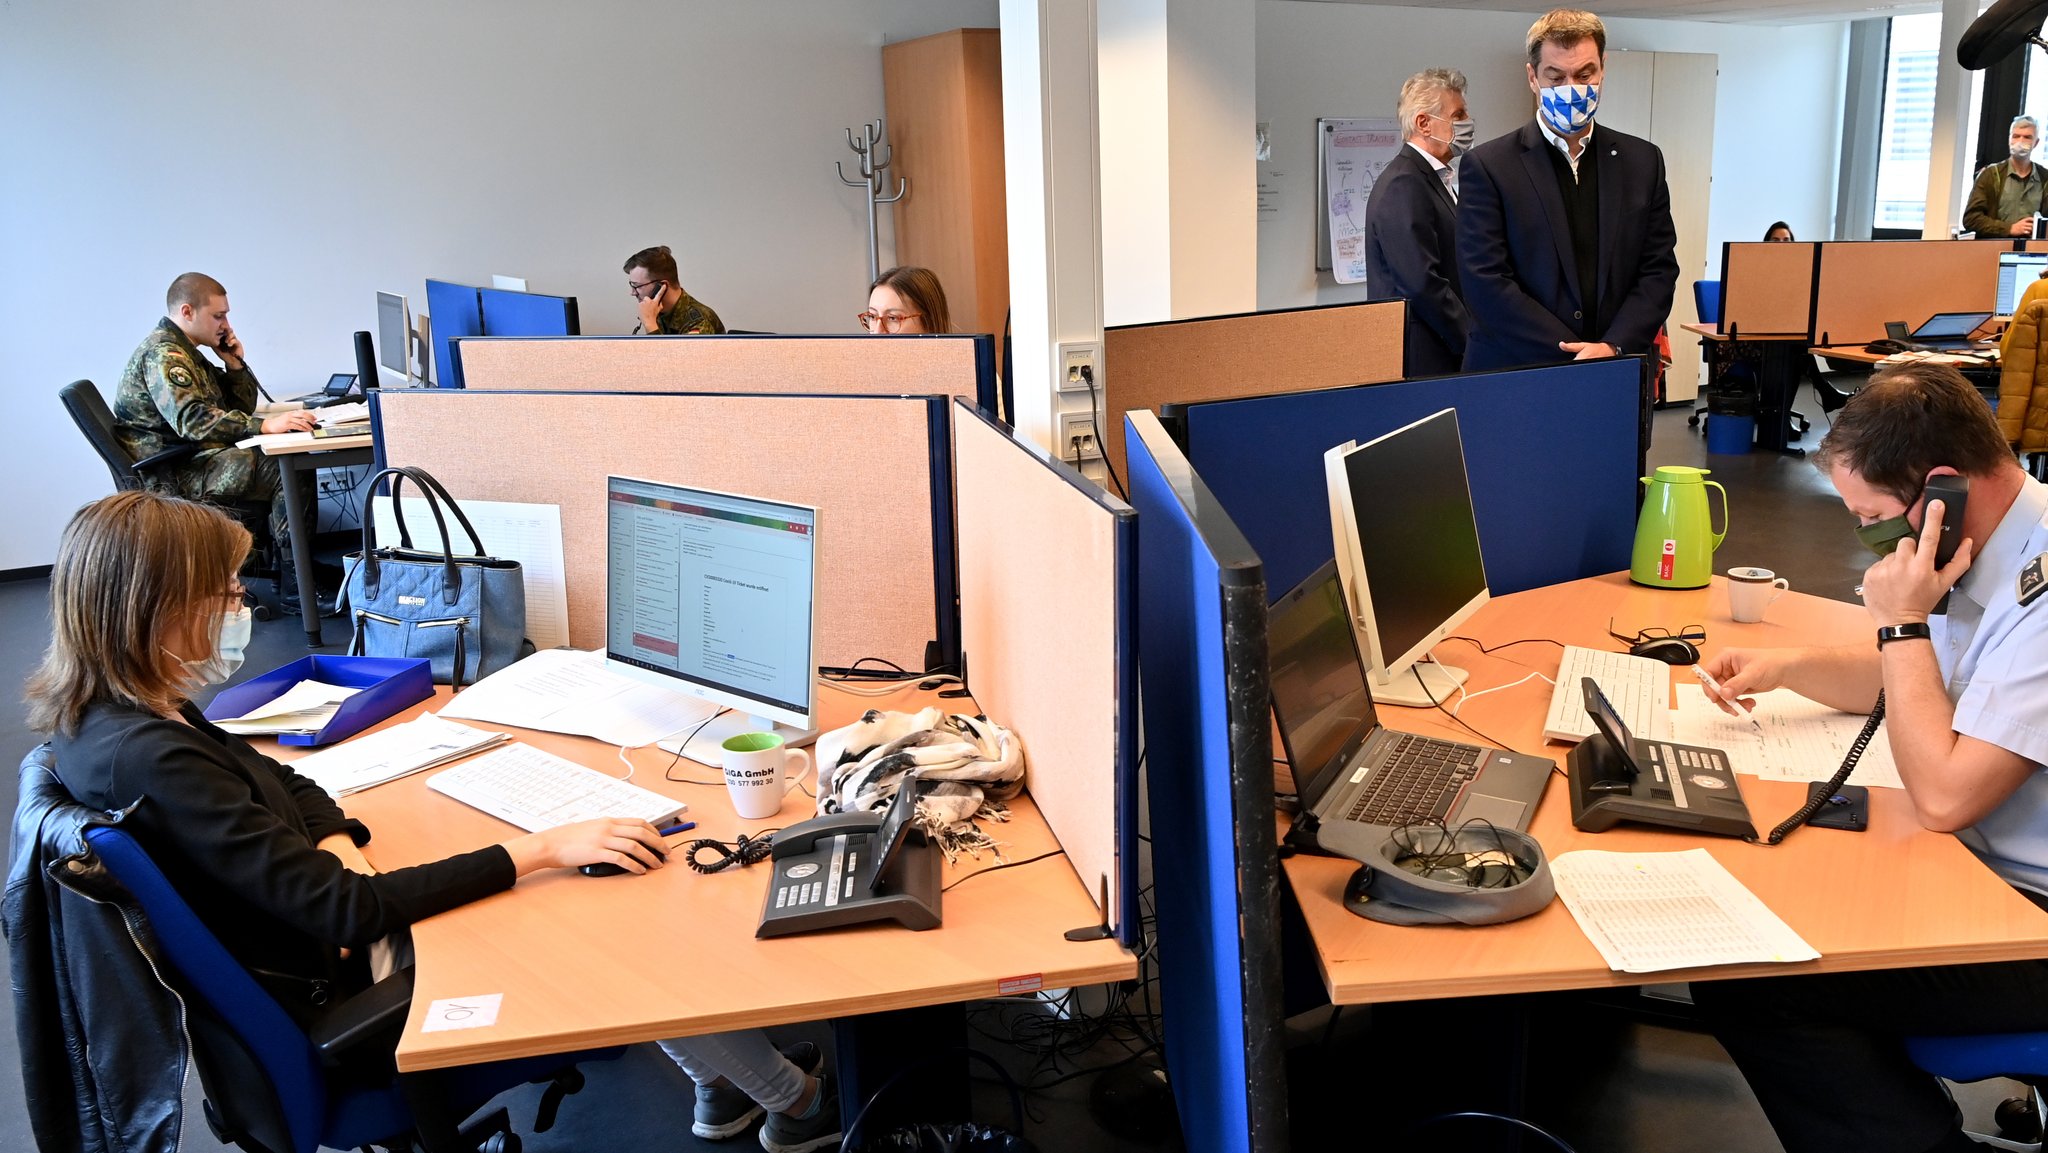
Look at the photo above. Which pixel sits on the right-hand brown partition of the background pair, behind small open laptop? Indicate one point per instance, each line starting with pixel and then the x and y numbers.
pixel 1871 282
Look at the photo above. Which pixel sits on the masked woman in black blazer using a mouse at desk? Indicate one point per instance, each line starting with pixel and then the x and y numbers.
pixel 146 613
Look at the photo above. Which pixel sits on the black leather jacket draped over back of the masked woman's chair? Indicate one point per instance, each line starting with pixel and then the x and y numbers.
pixel 103 1043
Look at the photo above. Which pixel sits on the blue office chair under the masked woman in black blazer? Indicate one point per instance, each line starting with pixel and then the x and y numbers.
pixel 275 1086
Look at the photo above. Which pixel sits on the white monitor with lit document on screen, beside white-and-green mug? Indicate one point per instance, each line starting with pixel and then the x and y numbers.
pixel 716 597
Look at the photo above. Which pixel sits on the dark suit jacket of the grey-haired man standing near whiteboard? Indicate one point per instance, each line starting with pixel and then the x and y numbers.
pixel 1412 234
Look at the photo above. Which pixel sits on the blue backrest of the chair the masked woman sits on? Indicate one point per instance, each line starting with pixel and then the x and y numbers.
pixel 224 986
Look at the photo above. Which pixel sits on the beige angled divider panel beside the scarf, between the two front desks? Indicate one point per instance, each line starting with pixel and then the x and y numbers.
pixel 1048 638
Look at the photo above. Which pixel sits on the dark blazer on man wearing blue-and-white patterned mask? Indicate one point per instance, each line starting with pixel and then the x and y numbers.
pixel 1514 249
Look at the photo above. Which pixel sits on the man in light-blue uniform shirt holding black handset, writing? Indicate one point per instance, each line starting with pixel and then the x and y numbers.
pixel 1959 603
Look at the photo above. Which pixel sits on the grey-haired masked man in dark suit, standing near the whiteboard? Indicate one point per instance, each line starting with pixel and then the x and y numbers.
pixel 1412 243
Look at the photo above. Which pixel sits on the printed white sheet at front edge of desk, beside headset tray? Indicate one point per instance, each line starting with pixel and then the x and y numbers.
pixel 1650 912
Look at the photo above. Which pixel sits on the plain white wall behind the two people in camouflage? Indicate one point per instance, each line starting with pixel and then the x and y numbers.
pixel 314 155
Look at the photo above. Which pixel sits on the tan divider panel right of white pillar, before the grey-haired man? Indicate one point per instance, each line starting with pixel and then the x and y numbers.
pixel 1224 357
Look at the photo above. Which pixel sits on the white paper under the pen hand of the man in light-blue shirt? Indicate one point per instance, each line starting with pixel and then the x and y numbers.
pixel 1799 742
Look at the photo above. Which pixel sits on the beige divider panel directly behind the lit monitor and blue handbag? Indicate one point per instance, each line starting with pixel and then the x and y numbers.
pixel 884 548
